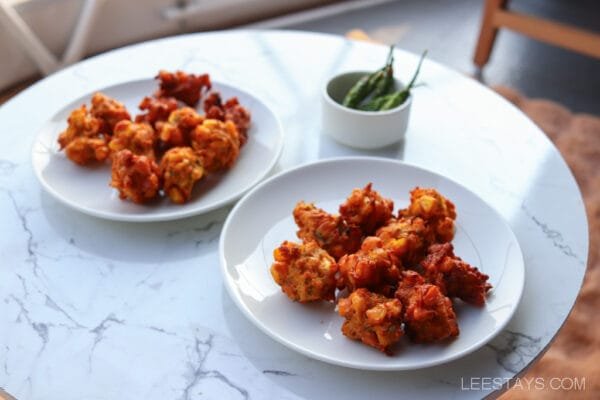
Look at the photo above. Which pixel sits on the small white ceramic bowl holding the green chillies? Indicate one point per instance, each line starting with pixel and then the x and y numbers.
pixel 361 129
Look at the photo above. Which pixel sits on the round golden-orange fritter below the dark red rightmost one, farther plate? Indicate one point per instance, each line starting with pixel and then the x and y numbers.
pixel 217 143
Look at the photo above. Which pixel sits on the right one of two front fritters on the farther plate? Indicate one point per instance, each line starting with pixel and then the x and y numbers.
pixel 180 168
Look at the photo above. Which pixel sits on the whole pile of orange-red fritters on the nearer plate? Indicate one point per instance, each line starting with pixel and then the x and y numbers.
pixel 394 275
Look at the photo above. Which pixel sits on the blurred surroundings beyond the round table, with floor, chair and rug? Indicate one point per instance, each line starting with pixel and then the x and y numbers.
pixel 547 63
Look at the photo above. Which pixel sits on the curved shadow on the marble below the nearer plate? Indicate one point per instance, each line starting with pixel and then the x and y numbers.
pixel 313 379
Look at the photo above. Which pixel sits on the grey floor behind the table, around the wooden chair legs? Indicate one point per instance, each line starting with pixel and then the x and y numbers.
pixel 449 30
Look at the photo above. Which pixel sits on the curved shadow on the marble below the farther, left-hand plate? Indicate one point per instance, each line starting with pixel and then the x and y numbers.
pixel 135 242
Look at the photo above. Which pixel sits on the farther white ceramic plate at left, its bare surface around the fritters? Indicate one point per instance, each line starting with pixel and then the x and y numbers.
pixel 87 190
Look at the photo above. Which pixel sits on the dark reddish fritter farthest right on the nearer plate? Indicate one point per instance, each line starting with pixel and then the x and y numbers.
pixel 455 277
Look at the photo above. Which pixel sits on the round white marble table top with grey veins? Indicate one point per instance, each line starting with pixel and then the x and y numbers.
pixel 94 309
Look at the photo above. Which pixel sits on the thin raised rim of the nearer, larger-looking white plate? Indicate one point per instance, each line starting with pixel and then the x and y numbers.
pixel 368 367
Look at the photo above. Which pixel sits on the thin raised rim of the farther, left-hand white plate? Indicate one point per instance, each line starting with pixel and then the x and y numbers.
pixel 148 218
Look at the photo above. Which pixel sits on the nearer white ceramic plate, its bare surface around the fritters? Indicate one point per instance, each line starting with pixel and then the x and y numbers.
pixel 263 219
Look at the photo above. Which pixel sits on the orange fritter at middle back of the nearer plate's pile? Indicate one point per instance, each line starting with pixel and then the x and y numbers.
pixel 367 209
